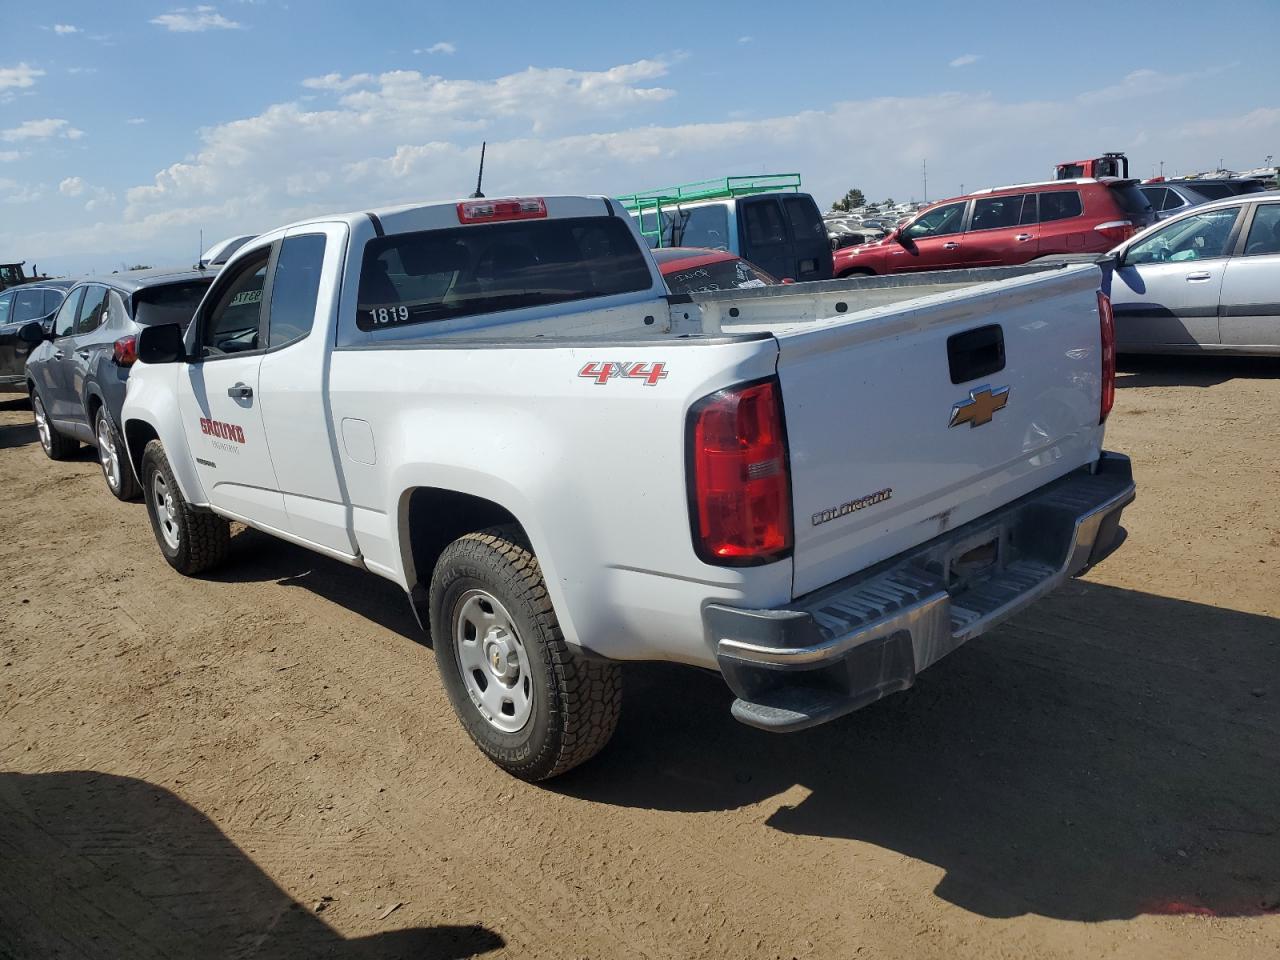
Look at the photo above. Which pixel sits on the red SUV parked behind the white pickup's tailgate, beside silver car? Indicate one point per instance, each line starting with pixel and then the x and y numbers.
pixel 1008 226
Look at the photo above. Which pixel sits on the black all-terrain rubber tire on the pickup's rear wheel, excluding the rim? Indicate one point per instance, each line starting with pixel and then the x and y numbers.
pixel 575 701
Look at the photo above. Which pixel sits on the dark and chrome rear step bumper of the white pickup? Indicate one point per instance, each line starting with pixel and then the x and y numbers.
pixel 852 643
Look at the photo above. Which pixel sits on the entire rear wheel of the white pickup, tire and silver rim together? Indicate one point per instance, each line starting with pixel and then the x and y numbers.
pixel 533 705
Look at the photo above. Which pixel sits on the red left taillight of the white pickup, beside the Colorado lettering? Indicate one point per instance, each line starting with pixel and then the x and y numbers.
pixel 739 481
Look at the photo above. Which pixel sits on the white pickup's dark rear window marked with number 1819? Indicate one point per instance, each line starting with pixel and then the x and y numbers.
pixel 414 278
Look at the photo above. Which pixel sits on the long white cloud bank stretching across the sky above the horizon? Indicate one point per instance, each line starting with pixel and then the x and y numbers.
pixel 372 140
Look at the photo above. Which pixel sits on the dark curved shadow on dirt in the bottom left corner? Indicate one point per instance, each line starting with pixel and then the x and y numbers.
pixel 97 866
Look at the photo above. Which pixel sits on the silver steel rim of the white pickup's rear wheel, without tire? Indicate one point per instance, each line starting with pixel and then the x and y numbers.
pixel 493 662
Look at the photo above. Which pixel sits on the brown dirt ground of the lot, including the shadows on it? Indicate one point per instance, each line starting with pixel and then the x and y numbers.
pixel 263 764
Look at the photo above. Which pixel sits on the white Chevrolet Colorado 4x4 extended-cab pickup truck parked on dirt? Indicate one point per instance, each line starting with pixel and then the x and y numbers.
pixel 817 491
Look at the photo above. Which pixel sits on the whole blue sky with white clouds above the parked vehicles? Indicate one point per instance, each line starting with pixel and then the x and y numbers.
pixel 126 129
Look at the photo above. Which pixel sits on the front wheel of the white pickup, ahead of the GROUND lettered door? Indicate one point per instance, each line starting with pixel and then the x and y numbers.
pixel 190 540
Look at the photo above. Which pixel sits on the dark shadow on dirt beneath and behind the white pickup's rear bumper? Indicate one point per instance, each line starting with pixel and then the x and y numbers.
pixel 1104 756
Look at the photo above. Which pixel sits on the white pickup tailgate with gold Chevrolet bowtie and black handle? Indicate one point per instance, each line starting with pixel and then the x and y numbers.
pixel 889 452
